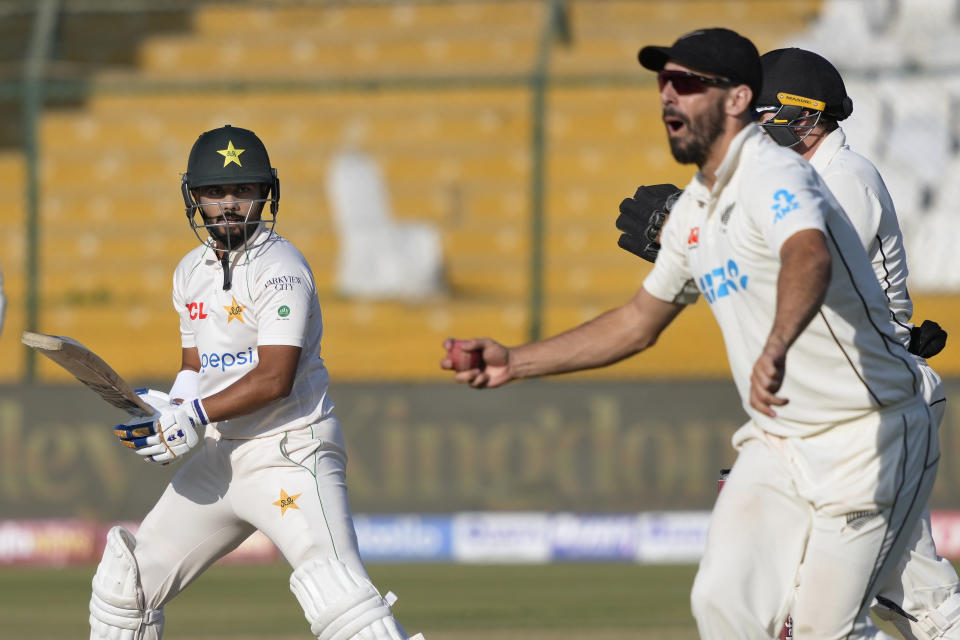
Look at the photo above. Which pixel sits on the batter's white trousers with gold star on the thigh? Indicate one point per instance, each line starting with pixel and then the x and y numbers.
pixel 291 486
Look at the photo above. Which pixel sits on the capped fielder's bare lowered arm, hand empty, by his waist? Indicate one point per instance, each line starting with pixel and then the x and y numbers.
pixel 801 289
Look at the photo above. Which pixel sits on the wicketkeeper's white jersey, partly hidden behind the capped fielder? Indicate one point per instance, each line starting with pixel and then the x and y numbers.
pixel 858 187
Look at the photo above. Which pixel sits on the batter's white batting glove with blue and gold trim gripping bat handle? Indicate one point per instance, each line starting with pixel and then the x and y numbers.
pixel 164 437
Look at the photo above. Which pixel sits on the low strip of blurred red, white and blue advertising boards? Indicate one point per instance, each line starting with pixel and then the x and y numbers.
pixel 657 537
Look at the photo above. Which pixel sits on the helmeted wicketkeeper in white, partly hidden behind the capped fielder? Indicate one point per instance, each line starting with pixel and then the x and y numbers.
pixel 802 100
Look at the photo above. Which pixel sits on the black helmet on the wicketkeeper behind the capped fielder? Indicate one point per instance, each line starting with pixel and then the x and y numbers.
pixel 806 74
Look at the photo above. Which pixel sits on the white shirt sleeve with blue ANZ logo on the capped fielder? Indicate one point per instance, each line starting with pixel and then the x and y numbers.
pixel 784 200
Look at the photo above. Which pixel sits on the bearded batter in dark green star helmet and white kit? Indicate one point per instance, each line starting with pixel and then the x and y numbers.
pixel 251 399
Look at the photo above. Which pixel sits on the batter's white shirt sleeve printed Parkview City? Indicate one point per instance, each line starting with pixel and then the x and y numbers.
pixel 285 300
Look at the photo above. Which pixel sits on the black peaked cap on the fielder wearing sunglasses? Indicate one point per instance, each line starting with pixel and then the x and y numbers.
pixel 716 50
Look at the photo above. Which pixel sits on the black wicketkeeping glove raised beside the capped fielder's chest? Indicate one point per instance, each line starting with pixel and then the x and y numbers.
pixel 642 217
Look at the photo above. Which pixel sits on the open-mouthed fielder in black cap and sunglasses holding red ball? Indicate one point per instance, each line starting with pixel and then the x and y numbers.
pixel 838 459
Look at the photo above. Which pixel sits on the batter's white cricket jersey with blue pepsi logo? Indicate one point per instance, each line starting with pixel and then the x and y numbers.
pixel 272 301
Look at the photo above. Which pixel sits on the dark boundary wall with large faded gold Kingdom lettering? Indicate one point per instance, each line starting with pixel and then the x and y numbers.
pixel 581 447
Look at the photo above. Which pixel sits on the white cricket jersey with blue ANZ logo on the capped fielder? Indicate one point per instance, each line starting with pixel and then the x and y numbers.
pixel 725 244
